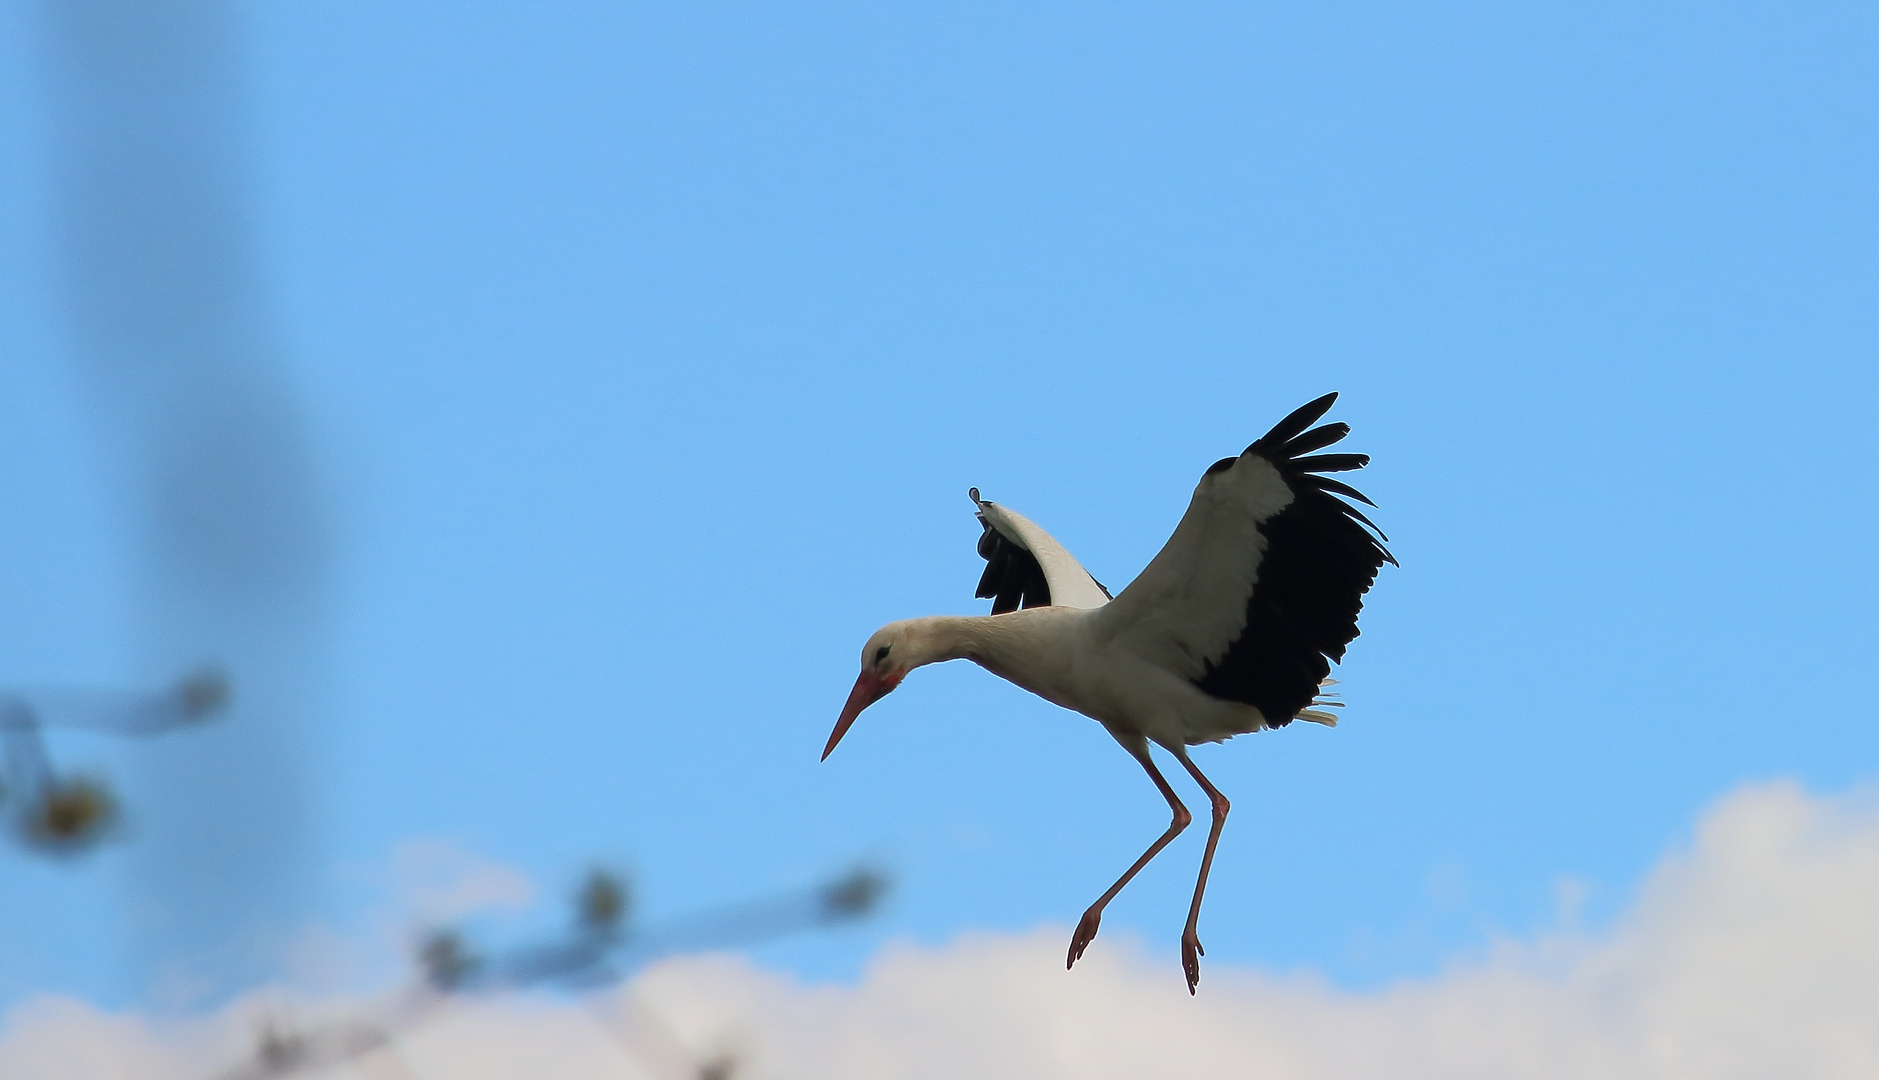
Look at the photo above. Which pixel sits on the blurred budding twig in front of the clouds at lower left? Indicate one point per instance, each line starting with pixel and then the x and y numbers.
pixel 600 949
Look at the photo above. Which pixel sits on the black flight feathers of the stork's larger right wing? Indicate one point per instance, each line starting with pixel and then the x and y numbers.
pixel 1318 566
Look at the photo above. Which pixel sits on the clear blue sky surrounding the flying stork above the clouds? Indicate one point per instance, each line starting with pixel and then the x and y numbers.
pixel 649 356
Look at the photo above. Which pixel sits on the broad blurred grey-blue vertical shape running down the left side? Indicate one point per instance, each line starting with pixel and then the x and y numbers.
pixel 170 330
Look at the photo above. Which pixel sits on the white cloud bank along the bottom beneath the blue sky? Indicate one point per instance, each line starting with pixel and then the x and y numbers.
pixel 1756 953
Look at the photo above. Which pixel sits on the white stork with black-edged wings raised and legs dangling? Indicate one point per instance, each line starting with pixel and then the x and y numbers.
pixel 1230 630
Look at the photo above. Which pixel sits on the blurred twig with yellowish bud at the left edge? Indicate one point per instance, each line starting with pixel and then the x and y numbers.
pixel 59 814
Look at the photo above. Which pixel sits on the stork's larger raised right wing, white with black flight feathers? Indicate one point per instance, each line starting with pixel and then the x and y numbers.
pixel 1260 587
